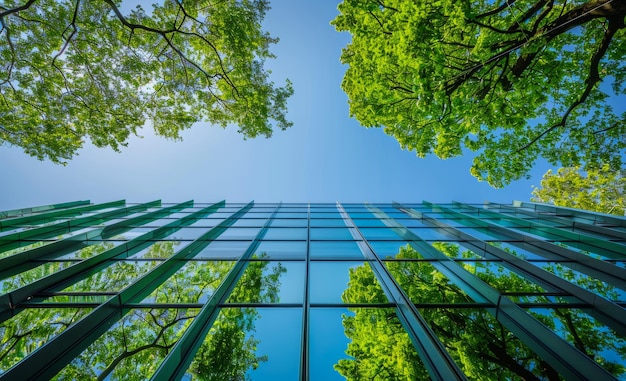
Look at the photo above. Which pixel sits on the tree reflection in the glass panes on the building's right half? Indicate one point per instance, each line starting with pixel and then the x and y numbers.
pixel 477 342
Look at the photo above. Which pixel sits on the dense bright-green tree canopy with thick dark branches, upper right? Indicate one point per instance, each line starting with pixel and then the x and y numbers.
pixel 510 80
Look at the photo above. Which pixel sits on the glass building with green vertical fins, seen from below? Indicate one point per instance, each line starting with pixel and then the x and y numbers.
pixel 238 291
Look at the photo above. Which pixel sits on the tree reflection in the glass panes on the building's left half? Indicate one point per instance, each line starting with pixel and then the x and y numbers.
pixel 134 346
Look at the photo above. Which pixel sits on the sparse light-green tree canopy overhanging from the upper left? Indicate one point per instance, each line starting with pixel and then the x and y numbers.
pixel 77 70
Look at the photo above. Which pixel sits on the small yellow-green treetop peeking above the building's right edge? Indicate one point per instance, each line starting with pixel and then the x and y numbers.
pixel 600 190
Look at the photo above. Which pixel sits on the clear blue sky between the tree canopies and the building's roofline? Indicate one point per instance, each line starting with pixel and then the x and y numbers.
pixel 326 156
